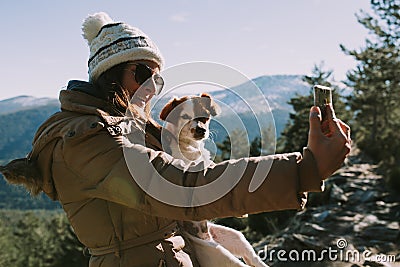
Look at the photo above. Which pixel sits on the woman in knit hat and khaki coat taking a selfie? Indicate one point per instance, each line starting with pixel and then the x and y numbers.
pixel 78 159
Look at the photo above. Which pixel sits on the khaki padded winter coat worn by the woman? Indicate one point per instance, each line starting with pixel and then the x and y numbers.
pixel 79 153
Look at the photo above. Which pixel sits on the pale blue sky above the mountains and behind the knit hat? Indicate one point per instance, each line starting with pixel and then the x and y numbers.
pixel 42 48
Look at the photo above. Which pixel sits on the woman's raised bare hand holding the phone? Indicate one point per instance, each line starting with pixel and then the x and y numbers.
pixel 330 149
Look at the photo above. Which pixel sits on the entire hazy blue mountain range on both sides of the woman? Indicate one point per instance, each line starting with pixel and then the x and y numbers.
pixel 254 105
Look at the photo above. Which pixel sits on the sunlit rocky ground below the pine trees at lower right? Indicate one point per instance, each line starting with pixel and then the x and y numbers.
pixel 355 222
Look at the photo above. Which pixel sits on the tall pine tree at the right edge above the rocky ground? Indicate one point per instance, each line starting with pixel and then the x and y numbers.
pixel 376 83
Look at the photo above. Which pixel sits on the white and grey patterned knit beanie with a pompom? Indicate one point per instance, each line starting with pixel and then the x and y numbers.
pixel 112 43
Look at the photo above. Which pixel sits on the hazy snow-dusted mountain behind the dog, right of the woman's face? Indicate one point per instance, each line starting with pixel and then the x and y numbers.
pixel 251 106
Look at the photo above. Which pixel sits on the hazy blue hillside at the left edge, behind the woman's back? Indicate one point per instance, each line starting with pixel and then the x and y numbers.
pixel 17 130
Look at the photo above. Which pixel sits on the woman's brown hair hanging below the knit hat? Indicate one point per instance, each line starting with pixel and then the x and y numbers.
pixel 109 86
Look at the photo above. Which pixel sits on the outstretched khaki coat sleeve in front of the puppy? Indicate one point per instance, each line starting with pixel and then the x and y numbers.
pixel 137 177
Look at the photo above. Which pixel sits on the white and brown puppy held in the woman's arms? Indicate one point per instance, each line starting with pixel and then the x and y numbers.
pixel 188 119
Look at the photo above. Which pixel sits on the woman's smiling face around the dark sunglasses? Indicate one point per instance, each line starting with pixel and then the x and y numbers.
pixel 140 94
